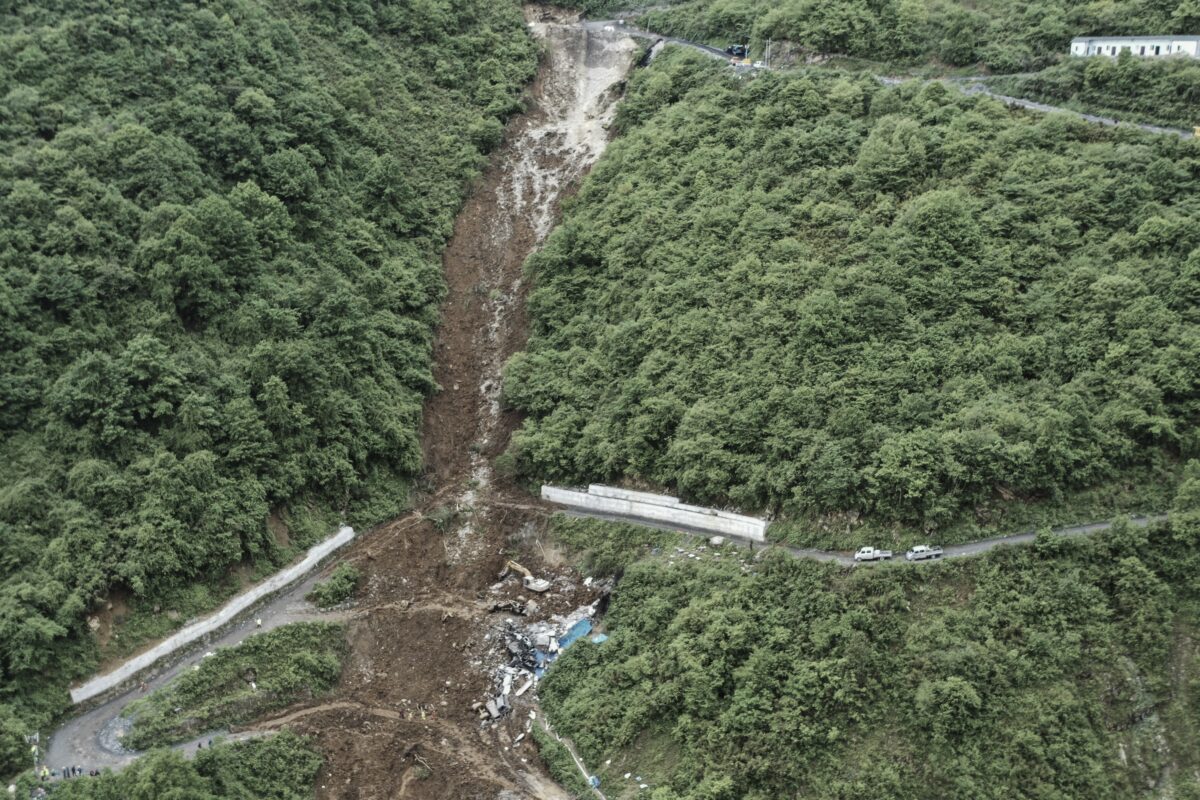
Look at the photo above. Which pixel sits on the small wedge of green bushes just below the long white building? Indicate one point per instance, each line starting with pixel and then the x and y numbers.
pixel 1165 92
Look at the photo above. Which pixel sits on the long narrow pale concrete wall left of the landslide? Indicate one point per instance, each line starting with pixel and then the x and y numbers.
pixel 201 629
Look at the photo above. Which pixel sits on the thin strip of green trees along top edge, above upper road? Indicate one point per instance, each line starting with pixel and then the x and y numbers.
pixel 1001 35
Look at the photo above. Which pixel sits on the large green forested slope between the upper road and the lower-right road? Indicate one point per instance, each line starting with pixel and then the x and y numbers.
pixel 838 302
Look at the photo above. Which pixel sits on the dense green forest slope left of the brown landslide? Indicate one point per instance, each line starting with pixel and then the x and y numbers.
pixel 219 275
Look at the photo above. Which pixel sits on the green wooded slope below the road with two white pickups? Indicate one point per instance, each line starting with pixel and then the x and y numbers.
pixel 1069 669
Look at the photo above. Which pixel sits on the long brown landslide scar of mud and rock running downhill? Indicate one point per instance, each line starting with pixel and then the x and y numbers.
pixel 424 643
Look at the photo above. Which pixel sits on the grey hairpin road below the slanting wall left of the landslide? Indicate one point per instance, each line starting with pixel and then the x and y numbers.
pixel 93 741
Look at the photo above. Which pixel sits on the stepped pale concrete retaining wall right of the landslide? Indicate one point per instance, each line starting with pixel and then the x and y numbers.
pixel 658 508
